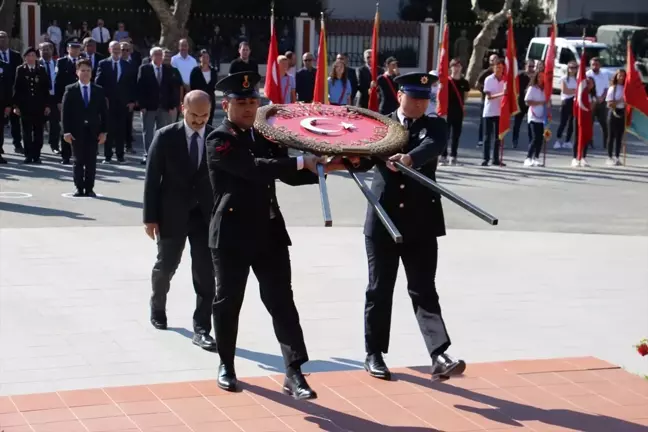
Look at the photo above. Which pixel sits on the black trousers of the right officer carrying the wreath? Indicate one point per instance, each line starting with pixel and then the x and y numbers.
pixel 420 262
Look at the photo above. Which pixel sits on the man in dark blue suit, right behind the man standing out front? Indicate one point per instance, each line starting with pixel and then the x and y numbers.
pixel 117 77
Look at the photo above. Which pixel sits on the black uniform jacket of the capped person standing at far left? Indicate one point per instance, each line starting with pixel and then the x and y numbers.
pixel 31 90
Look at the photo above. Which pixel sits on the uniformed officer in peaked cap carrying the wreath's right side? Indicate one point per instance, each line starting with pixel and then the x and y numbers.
pixel 417 213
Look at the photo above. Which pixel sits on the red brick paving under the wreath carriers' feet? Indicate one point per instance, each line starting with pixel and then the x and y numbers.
pixel 584 394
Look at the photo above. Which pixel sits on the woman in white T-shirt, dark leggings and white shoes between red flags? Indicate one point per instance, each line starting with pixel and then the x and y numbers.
pixel 535 100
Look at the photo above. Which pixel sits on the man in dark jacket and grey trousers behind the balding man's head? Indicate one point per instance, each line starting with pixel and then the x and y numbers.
pixel 157 96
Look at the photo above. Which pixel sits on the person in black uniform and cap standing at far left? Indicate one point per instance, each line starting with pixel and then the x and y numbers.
pixel 31 102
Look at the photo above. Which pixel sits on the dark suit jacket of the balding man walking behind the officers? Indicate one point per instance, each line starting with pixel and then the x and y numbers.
pixel 173 187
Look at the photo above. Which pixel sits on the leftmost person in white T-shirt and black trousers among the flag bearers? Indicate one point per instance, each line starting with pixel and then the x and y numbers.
pixel 494 89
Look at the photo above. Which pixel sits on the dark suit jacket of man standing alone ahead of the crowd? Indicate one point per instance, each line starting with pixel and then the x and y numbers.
pixel 77 118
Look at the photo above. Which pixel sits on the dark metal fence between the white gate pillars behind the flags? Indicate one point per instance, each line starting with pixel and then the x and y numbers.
pixel 400 39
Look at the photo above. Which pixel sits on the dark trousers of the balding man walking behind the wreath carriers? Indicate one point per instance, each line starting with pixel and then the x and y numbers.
pixel 168 259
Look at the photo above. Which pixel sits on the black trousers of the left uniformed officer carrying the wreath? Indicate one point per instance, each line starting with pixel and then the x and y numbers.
pixel 271 267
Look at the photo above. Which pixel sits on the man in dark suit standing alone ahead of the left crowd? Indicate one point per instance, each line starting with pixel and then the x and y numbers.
pixel 85 123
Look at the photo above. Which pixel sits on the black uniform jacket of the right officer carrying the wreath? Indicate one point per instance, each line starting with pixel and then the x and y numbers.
pixel 415 210
